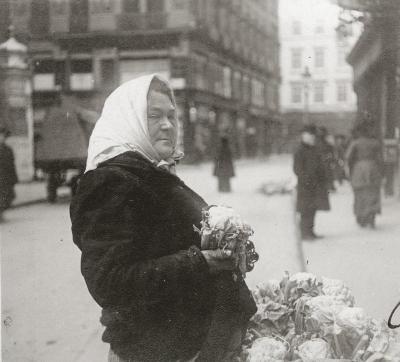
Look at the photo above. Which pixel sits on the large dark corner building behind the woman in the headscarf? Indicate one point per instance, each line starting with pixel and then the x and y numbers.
pixel 222 58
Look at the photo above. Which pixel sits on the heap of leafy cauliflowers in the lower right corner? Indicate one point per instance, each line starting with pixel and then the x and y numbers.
pixel 301 318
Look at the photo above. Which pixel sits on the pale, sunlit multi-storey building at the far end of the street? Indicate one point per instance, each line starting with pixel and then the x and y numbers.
pixel 316 79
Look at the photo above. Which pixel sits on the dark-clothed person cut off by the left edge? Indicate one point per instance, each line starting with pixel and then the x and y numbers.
pixel 8 174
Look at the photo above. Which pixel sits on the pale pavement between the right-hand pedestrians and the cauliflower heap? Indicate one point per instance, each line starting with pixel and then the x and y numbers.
pixel 367 260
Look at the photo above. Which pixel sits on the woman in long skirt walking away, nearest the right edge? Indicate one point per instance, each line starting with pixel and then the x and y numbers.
pixel 365 167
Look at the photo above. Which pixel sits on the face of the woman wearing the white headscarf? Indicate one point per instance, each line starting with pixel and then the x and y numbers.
pixel 162 125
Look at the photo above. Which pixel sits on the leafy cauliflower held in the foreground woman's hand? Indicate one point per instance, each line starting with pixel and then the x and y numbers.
pixel 222 228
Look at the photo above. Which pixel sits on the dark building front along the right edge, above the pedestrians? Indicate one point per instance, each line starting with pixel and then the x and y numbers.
pixel 375 59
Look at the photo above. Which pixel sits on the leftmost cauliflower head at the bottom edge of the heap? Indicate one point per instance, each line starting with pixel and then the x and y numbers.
pixel 266 349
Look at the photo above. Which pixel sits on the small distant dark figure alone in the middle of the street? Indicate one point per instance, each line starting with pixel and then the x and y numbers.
pixel 224 165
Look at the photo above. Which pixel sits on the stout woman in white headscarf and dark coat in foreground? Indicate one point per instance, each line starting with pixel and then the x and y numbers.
pixel 163 298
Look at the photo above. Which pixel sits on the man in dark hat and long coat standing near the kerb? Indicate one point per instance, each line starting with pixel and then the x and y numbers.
pixel 312 193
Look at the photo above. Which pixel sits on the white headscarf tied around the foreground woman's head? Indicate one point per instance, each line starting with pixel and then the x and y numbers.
pixel 123 125
